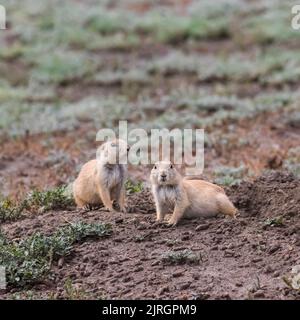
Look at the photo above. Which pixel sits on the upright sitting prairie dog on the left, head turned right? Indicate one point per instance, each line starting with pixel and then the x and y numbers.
pixel 102 180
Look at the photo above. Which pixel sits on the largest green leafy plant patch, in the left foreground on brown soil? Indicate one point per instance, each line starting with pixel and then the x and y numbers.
pixel 29 260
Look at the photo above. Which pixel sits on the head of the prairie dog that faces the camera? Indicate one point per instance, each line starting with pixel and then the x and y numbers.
pixel 164 173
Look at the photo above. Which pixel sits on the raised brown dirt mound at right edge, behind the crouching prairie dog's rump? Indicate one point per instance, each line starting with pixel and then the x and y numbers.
pixel 272 194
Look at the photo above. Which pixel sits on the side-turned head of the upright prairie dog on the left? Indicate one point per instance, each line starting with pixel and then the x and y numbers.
pixel 113 152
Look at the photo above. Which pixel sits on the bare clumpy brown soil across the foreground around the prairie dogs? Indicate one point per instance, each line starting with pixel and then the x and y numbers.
pixel 240 259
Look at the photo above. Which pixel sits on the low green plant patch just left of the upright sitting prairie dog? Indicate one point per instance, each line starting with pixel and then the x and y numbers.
pixel 54 199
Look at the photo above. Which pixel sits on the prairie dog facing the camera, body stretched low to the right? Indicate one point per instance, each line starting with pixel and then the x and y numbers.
pixel 186 198
